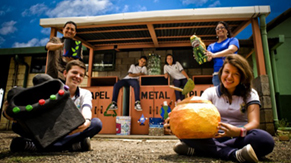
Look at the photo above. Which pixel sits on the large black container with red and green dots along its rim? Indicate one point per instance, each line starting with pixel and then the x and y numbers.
pixel 45 111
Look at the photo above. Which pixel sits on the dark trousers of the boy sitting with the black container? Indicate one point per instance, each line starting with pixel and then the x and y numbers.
pixel 67 141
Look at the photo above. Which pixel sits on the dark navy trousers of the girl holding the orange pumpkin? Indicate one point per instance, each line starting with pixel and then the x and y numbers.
pixel 261 141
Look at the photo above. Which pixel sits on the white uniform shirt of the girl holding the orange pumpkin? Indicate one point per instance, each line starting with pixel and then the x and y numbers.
pixel 234 113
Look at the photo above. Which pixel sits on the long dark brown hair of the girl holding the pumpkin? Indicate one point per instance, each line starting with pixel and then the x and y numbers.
pixel 246 76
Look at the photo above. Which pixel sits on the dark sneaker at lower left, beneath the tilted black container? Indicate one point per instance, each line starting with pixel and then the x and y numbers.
pixel 21 144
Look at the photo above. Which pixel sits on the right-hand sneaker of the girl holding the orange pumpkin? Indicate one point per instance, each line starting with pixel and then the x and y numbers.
pixel 246 154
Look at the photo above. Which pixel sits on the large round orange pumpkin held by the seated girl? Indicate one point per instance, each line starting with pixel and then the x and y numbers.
pixel 194 118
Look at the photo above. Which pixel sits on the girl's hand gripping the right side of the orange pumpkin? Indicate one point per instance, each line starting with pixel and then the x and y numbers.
pixel 228 130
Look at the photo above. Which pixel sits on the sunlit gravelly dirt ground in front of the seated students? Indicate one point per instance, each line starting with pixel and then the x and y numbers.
pixel 109 150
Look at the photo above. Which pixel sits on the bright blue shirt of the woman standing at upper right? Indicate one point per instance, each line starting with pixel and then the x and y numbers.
pixel 217 47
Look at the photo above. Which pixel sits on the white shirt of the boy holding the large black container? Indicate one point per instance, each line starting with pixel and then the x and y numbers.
pixel 83 97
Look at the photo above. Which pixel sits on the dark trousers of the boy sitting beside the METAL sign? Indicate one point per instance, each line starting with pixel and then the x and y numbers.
pixel 126 82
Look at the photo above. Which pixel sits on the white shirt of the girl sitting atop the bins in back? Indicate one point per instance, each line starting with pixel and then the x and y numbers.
pixel 174 71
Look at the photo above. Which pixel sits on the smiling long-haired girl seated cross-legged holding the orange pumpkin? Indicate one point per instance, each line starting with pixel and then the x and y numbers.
pixel 239 138
